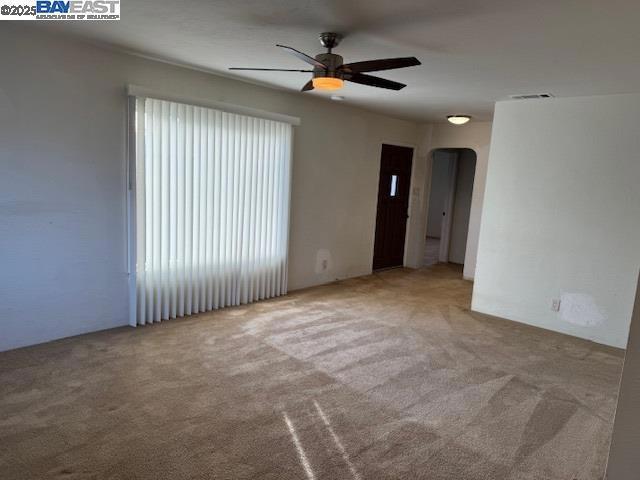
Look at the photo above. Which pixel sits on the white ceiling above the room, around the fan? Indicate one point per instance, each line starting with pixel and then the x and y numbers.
pixel 474 52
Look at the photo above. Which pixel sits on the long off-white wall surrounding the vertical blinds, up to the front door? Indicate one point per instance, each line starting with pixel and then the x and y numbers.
pixel 62 182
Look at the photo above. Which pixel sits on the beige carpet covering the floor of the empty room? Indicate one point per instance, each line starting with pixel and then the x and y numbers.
pixel 383 377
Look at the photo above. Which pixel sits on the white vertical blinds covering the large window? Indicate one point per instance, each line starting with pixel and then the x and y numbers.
pixel 211 206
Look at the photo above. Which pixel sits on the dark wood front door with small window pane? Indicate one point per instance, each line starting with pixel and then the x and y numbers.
pixel 393 204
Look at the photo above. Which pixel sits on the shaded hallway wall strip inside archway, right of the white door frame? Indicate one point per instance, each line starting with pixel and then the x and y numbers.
pixel 462 206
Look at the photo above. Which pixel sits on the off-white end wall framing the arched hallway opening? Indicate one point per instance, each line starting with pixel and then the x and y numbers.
pixel 474 135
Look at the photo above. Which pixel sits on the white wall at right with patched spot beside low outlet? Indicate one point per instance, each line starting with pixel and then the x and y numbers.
pixel 561 216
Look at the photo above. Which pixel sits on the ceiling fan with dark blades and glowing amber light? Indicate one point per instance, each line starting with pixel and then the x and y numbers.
pixel 329 71
